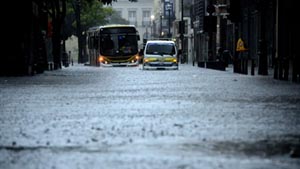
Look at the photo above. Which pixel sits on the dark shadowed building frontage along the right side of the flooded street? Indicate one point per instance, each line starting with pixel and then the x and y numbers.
pixel 266 28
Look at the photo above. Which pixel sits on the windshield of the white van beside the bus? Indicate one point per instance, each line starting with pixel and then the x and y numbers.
pixel 160 49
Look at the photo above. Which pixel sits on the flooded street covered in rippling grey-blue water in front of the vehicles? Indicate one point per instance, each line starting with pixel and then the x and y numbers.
pixel 127 118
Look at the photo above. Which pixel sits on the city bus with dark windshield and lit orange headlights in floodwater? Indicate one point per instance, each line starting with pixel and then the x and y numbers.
pixel 113 45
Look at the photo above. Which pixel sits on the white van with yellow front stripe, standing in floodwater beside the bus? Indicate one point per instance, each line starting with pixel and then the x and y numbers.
pixel 160 54
